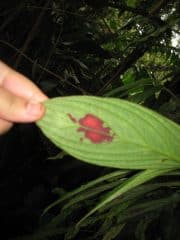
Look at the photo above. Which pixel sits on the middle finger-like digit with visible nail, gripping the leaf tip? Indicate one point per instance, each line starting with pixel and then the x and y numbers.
pixel 17 109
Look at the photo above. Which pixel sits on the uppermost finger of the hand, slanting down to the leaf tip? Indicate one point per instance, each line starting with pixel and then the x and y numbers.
pixel 19 85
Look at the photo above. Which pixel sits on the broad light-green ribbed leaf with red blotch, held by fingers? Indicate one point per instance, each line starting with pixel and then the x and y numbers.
pixel 111 132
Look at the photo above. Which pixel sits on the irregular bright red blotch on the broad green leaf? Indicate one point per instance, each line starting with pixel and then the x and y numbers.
pixel 93 128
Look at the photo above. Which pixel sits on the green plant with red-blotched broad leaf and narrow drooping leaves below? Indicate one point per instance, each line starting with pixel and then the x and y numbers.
pixel 112 133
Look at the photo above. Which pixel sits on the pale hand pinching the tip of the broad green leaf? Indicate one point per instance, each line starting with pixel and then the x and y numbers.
pixel 21 101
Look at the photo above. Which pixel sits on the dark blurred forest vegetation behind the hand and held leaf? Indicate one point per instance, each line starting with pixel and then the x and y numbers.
pixel 125 49
